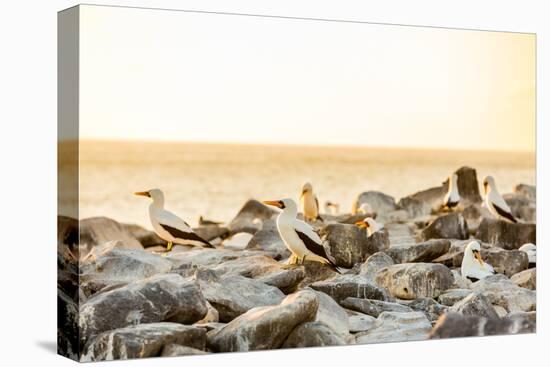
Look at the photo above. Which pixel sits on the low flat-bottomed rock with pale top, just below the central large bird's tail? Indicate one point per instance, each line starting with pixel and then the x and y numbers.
pixel 344 286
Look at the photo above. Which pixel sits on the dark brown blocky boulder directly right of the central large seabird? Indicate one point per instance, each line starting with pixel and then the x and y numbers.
pixel 349 244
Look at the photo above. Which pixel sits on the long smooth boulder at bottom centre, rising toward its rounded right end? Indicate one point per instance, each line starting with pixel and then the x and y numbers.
pixel 265 327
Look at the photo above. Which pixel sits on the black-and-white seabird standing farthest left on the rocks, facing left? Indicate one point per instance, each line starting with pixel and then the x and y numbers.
pixel 169 226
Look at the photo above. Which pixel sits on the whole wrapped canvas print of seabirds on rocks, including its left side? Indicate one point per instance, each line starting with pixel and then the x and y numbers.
pixel 233 183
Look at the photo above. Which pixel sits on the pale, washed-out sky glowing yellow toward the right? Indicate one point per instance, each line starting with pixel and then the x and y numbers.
pixel 177 76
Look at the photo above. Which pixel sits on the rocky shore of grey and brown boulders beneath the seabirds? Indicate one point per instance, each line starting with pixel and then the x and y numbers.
pixel 119 297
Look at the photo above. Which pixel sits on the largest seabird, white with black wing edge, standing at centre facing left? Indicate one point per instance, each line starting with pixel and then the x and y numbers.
pixel 298 236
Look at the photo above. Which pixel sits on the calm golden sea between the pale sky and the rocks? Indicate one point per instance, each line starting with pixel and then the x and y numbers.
pixel 215 180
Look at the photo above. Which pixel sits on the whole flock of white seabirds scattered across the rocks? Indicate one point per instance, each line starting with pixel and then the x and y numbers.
pixel 305 244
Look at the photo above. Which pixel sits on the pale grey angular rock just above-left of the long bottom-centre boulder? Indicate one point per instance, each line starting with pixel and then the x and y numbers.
pixel 234 295
